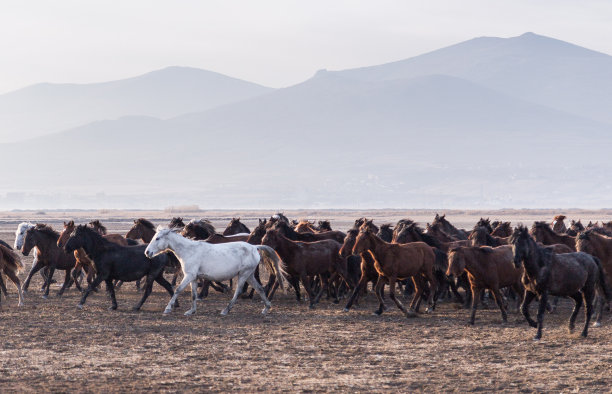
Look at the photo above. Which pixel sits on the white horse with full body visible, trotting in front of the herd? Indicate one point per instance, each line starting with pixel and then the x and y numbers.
pixel 216 262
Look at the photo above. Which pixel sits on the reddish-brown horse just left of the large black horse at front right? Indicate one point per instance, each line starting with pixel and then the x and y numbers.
pixel 487 268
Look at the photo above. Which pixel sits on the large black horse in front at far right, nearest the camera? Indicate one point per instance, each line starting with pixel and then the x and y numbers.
pixel 576 275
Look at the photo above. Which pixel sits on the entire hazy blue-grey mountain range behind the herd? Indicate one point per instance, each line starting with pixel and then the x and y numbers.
pixel 490 122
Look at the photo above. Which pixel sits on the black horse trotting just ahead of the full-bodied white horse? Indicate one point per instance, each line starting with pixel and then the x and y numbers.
pixel 116 262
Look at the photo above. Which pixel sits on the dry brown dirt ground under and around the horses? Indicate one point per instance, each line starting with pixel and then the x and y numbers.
pixel 50 345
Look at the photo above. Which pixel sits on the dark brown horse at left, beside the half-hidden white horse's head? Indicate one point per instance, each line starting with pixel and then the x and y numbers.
pixel 44 238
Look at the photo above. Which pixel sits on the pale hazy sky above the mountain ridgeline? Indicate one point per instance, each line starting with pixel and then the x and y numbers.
pixel 275 43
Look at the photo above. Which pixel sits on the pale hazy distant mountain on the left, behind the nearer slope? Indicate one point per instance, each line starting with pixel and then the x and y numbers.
pixel 45 108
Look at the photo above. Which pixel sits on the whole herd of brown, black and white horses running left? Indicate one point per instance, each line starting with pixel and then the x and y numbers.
pixel 493 260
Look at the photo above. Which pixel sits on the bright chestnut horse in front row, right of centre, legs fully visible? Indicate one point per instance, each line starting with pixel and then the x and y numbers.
pixel 399 261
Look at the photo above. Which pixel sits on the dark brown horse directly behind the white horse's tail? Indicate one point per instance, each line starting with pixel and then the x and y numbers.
pixel 306 259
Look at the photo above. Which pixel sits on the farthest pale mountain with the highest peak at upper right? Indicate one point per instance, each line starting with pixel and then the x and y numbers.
pixel 535 68
